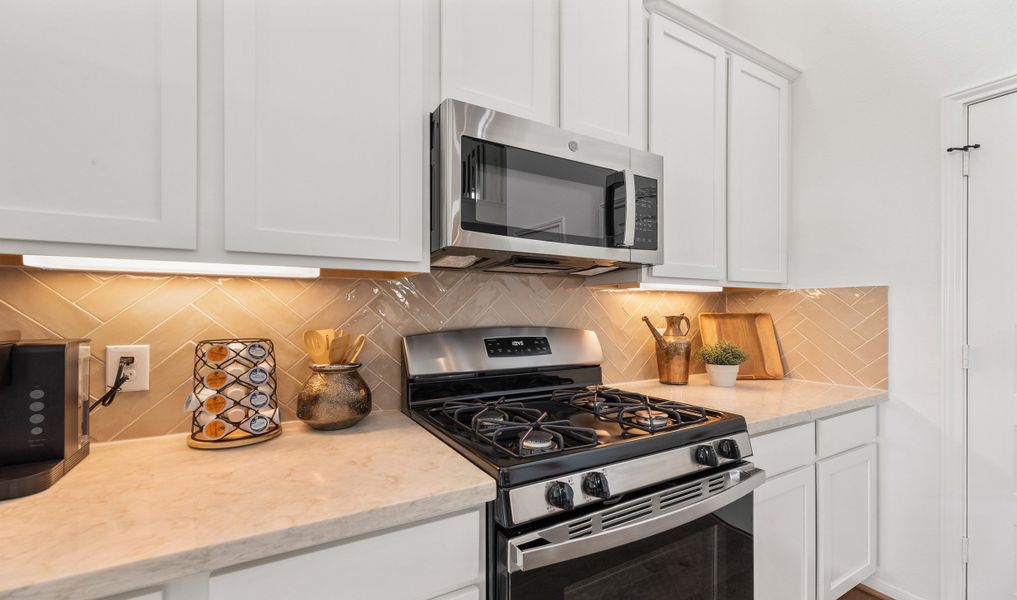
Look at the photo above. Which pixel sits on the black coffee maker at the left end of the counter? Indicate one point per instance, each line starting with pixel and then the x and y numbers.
pixel 44 412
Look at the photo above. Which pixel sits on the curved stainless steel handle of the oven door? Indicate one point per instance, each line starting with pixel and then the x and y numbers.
pixel 530 559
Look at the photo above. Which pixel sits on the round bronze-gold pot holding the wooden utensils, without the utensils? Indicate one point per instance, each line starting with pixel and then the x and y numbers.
pixel 335 397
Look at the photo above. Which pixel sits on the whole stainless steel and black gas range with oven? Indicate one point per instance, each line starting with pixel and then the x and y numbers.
pixel 603 494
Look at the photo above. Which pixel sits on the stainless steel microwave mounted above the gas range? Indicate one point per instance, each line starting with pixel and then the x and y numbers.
pixel 514 196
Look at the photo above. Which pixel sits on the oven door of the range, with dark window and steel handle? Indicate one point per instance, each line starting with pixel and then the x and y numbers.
pixel 692 542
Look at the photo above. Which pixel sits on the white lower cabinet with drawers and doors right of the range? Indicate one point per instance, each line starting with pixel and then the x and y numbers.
pixel 815 521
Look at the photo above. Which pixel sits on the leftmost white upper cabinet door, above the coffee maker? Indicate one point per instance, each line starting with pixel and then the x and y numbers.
pixel 98 123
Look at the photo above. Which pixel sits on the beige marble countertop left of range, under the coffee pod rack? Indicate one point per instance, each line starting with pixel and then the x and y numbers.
pixel 139 513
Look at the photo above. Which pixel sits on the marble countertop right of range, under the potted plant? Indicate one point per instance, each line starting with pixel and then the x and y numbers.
pixel 766 405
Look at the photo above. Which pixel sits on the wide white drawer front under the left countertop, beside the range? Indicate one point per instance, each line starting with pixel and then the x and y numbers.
pixel 429 560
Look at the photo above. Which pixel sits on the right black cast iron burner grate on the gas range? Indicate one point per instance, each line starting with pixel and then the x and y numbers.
pixel 632 410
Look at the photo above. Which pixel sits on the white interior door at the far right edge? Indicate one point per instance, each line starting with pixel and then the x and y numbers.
pixel 993 338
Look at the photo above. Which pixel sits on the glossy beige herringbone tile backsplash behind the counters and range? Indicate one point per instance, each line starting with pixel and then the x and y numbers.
pixel 172 314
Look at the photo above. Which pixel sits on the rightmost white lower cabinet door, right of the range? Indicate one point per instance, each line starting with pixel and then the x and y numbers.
pixel 848 525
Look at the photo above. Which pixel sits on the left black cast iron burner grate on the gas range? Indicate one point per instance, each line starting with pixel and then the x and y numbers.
pixel 515 430
